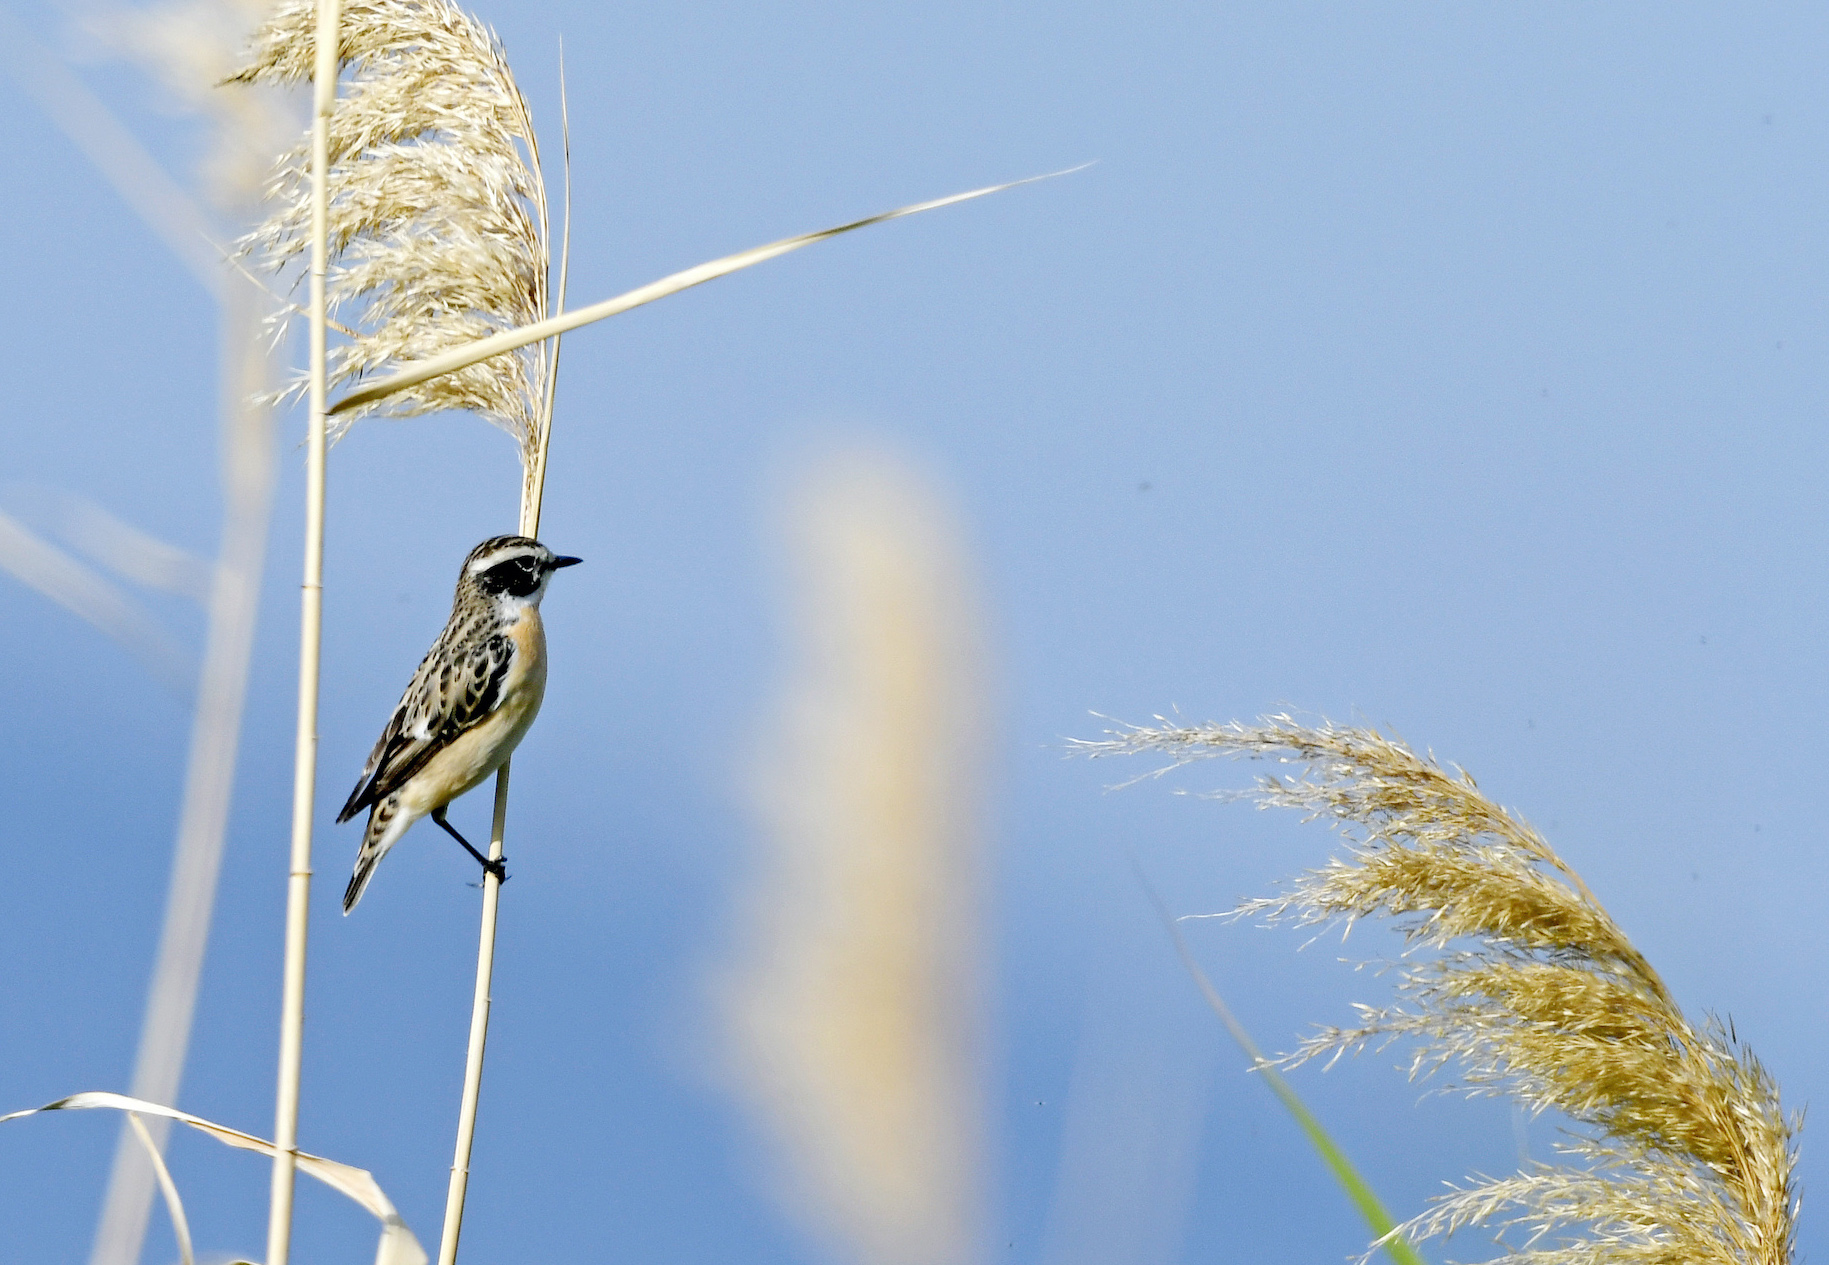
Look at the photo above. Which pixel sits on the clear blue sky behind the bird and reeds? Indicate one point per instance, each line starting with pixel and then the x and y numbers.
pixel 1449 368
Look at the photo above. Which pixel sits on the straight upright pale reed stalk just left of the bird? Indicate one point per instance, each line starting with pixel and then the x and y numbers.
pixel 310 654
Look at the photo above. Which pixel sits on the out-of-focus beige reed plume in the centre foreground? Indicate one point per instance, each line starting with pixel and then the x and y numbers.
pixel 853 1012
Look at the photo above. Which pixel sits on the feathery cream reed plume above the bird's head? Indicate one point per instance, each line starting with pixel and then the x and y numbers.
pixel 438 213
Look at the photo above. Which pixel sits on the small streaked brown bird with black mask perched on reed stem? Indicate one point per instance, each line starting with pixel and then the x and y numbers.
pixel 467 708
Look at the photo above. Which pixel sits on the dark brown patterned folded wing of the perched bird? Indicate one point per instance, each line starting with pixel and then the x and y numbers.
pixel 451 694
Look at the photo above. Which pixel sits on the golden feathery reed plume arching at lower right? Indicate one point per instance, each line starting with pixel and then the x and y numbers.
pixel 1519 977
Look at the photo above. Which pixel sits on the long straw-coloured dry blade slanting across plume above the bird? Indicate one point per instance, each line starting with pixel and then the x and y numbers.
pixel 698 275
